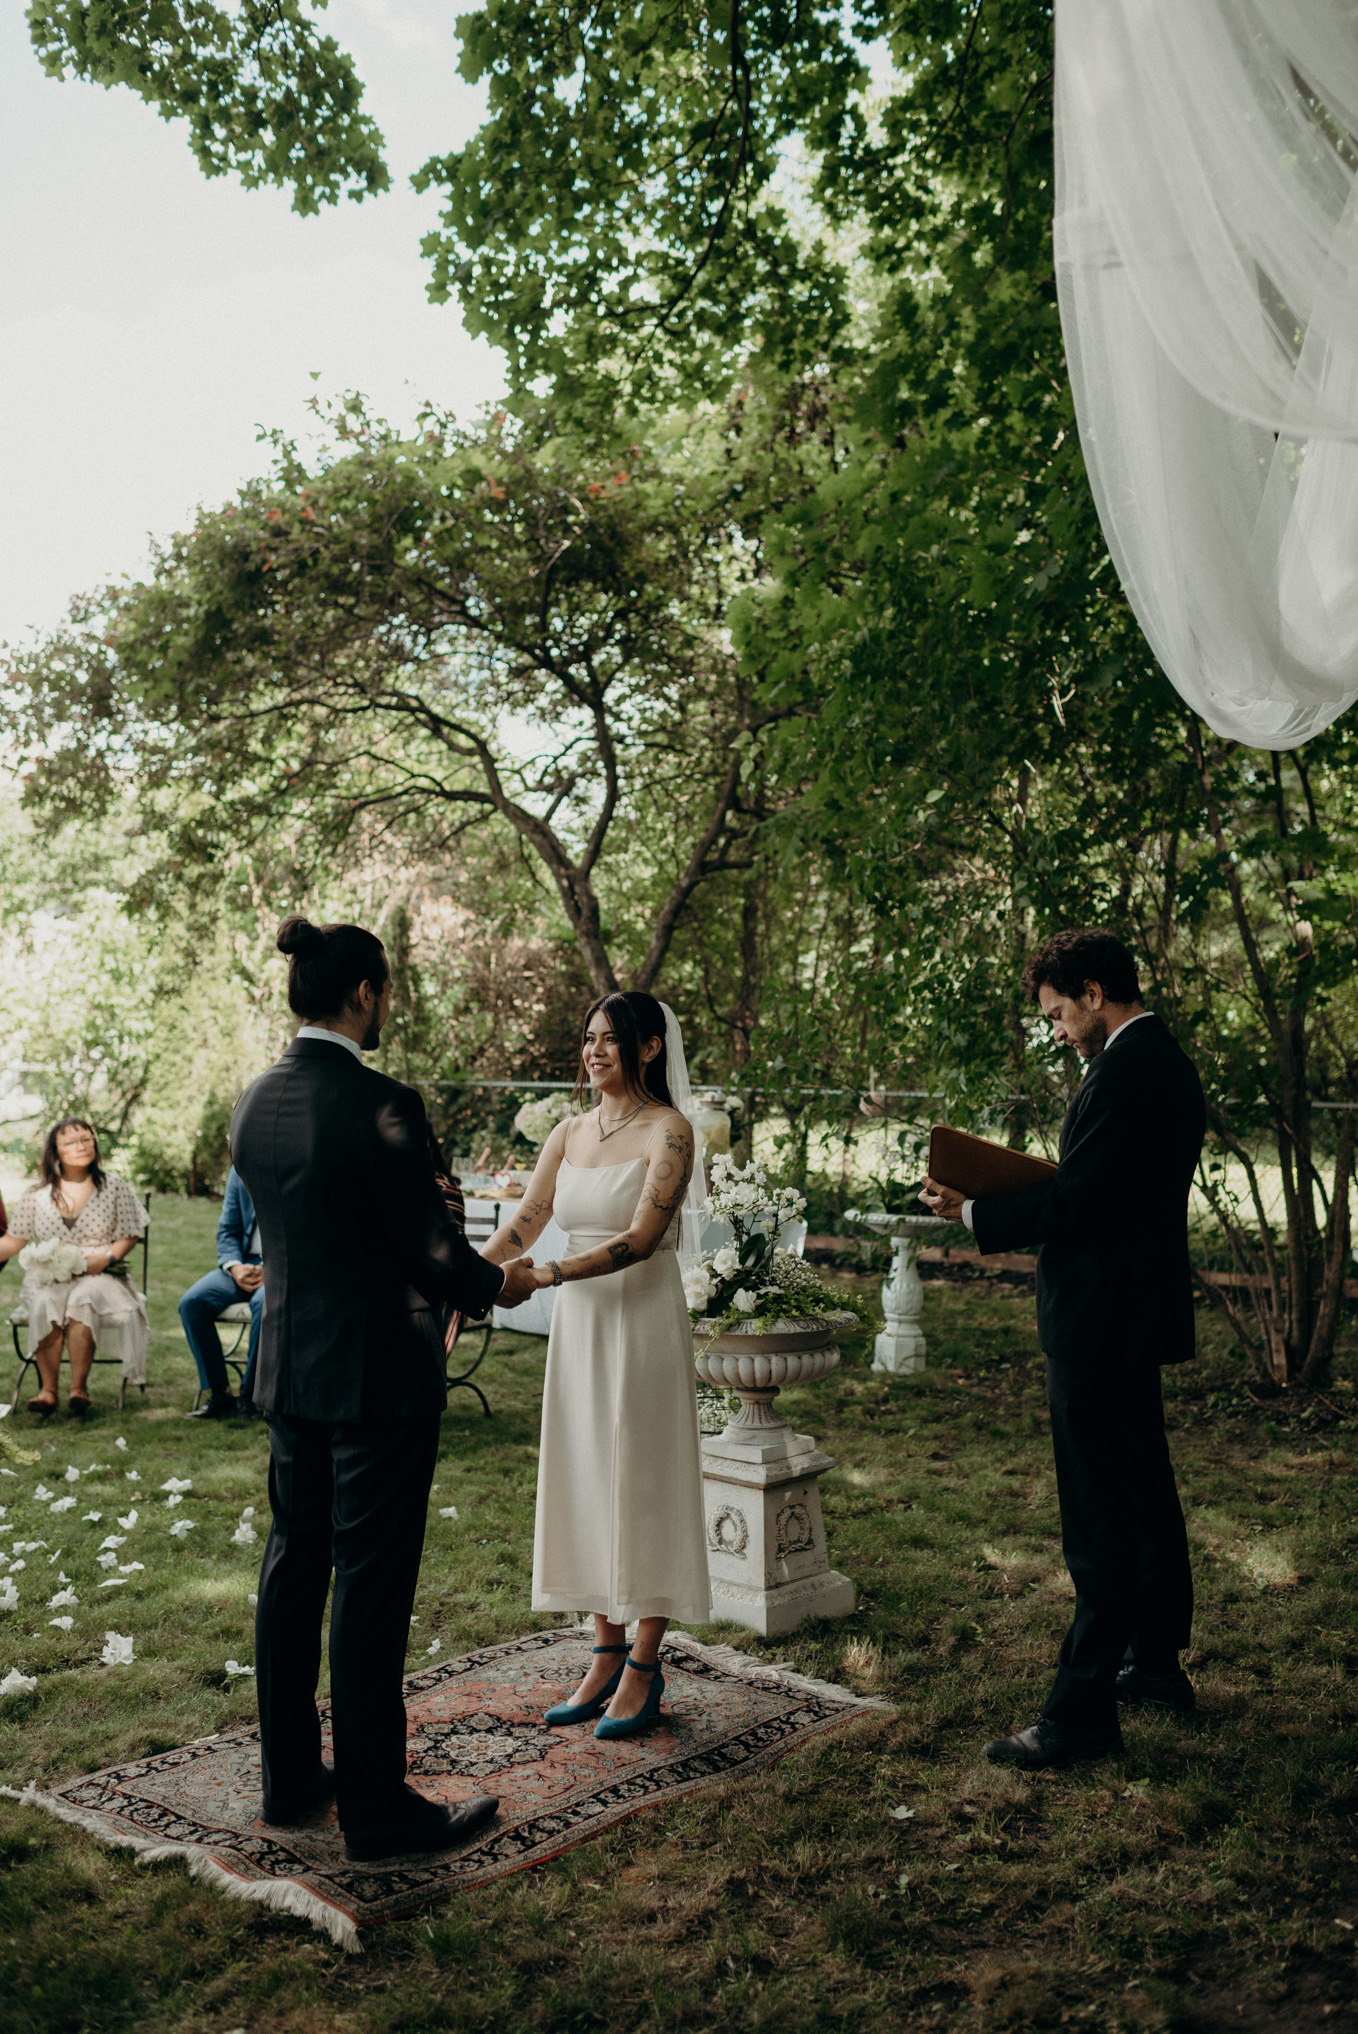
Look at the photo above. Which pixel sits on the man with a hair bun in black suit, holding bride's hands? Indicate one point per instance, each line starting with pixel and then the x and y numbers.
pixel 359 1262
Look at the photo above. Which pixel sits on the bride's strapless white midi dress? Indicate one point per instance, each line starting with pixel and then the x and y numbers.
pixel 621 1486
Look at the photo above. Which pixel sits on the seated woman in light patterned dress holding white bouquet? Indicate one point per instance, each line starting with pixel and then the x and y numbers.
pixel 74 1201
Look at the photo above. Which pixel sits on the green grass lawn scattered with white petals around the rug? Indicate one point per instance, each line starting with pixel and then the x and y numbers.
pixel 881 1878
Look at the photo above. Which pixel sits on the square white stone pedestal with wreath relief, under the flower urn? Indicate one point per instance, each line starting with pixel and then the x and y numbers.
pixel 765 1533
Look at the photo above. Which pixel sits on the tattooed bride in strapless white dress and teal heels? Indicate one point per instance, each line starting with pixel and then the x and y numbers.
pixel 621 1492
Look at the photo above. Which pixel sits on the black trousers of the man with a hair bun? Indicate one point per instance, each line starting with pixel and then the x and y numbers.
pixel 355 1500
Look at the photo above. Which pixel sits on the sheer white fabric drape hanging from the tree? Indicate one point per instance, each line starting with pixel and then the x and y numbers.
pixel 1207 243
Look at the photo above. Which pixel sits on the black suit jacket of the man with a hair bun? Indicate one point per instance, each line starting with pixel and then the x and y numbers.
pixel 359 1248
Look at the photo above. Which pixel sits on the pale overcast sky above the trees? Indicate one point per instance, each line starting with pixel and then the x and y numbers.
pixel 151 320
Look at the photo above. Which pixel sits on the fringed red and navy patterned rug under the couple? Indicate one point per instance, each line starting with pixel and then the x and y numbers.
pixel 475 1728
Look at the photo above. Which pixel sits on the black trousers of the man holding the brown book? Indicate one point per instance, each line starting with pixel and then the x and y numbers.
pixel 1121 1533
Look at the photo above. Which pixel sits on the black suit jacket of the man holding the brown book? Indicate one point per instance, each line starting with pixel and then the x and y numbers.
pixel 1113 1274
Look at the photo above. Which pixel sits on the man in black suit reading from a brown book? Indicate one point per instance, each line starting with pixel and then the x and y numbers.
pixel 1115 1301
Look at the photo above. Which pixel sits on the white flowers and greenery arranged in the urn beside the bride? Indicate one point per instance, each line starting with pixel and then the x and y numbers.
pixel 751 1280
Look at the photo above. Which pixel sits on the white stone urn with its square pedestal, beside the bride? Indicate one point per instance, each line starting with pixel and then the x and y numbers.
pixel 761 1482
